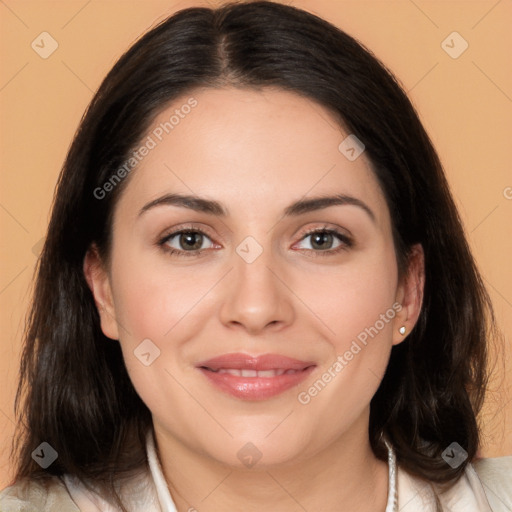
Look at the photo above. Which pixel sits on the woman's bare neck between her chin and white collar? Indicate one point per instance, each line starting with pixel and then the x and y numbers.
pixel 345 473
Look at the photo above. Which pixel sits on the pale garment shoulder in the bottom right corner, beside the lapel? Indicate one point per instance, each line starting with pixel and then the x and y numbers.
pixel 495 475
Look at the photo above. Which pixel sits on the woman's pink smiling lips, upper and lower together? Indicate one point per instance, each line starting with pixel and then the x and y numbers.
pixel 255 387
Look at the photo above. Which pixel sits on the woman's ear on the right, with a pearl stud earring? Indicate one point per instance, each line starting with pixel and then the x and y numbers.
pixel 410 294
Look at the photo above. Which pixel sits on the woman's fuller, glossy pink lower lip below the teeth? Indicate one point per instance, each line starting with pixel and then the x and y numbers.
pixel 255 388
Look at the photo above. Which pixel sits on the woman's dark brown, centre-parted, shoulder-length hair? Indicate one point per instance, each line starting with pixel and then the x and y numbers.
pixel 74 390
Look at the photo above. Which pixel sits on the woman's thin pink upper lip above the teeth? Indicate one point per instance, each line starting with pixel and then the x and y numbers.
pixel 238 361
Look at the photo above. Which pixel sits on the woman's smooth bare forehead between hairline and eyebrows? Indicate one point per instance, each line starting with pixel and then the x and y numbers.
pixel 250 149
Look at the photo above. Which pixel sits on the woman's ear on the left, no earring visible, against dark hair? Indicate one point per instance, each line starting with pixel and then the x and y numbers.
pixel 99 282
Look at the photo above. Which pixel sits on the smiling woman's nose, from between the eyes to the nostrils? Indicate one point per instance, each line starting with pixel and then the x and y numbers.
pixel 256 295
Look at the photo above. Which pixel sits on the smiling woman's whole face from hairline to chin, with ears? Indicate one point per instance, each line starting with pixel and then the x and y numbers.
pixel 313 286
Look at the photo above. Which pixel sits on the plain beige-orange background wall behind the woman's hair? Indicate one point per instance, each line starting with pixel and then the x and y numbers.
pixel 465 104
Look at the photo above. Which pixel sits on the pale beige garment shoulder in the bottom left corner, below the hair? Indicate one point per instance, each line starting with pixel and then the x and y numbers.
pixel 37 496
